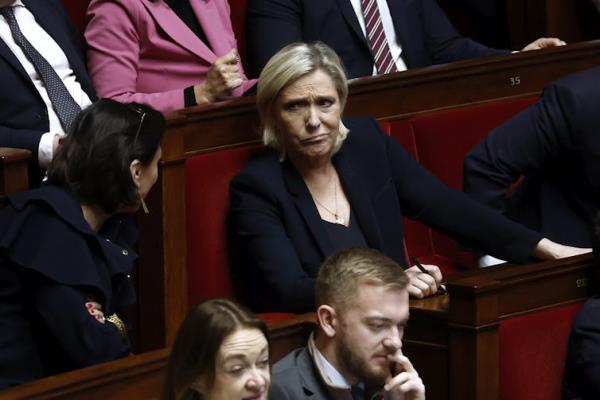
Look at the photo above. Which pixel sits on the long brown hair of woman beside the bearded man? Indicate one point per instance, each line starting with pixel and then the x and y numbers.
pixel 198 341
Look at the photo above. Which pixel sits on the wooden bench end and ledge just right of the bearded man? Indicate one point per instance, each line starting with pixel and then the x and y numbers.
pixel 453 339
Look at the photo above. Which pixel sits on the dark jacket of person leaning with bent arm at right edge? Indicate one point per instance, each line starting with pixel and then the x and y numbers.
pixel 555 144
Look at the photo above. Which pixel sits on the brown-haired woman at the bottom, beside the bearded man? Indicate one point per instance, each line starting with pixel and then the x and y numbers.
pixel 221 353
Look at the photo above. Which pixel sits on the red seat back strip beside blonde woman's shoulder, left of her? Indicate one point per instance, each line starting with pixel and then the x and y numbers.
pixel 207 178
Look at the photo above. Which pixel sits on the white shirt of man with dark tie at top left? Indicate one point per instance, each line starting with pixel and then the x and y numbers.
pixel 52 52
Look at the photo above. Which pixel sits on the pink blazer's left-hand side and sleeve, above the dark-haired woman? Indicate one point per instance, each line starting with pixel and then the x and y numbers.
pixel 116 33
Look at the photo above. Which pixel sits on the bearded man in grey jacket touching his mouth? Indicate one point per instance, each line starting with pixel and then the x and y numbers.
pixel 356 349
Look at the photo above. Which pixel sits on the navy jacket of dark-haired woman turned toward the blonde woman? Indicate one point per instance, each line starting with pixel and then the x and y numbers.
pixel 51 263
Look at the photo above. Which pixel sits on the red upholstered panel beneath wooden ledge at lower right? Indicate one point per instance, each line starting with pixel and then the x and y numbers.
pixel 533 350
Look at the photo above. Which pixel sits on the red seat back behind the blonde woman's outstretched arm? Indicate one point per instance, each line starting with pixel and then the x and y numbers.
pixel 439 141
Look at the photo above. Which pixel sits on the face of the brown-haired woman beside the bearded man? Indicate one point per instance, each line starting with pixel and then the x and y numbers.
pixel 242 367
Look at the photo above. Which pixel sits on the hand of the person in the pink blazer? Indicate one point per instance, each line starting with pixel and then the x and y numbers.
pixel 223 76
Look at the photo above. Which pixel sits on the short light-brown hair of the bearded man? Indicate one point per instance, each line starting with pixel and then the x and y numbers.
pixel 342 272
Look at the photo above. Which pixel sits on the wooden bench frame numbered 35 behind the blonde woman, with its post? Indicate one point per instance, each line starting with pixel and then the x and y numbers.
pixel 163 267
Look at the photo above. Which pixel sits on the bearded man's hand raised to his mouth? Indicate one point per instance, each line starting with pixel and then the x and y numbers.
pixel 406 384
